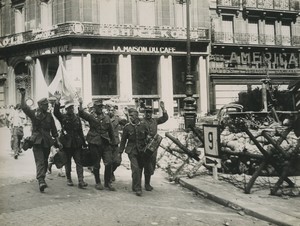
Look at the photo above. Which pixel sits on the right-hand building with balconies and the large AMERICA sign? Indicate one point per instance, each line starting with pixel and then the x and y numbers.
pixel 252 39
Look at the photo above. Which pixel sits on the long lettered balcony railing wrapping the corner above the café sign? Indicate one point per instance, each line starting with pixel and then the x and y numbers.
pixel 106 31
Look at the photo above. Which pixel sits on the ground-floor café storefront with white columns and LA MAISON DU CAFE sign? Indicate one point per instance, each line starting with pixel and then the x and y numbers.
pixel 123 72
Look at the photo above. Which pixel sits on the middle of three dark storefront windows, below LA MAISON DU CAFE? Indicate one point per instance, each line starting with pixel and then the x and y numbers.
pixel 144 75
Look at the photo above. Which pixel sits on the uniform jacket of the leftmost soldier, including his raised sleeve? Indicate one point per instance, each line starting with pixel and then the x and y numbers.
pixel 42 125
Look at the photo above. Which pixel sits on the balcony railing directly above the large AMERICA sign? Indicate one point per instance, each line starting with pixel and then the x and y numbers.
pixel 255 39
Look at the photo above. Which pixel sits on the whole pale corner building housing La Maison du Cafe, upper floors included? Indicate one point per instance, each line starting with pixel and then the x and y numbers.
pixel 123 49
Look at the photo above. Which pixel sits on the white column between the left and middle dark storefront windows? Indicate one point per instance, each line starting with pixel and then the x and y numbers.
pixel 125 78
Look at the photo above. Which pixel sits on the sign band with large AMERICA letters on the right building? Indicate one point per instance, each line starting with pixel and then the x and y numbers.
pixel 256 62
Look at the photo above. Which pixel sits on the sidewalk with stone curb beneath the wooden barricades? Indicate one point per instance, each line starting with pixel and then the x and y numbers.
pixel 259 204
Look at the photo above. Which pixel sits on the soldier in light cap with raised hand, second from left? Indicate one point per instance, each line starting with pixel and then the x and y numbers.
pixel 72 139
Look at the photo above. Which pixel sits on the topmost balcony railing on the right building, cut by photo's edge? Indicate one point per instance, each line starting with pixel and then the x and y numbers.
pixel 288 5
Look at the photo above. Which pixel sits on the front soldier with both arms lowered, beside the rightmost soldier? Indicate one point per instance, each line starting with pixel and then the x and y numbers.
pixel 135 134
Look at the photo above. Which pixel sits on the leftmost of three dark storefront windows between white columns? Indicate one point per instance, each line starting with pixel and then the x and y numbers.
pixel 104 74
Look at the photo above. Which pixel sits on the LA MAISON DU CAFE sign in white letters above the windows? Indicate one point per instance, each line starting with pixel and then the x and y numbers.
pixel 143 49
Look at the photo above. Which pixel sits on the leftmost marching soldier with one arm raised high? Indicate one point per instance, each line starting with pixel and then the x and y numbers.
pixel 43 129
